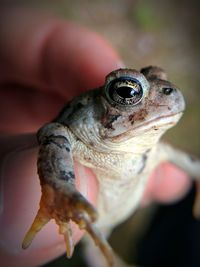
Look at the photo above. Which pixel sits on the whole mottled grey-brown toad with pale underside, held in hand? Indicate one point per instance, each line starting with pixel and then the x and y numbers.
pixel 114 130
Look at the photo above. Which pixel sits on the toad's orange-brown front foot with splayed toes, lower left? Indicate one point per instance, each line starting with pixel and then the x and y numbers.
pixel 63 208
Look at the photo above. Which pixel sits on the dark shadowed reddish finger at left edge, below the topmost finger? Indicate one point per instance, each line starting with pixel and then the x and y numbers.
pixel 24 110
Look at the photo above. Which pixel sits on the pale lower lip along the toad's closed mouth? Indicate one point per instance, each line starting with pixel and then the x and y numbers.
pixel 161 123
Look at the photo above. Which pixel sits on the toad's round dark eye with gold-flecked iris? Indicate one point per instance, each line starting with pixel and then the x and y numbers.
pixel 125 91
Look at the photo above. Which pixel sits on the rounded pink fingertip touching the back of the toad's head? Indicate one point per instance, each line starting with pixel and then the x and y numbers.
pixel 77 59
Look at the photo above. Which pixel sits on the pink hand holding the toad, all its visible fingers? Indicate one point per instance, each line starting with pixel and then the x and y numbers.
pixel 45 62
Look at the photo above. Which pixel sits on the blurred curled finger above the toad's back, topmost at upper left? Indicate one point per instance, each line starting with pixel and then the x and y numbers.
pixel 41 50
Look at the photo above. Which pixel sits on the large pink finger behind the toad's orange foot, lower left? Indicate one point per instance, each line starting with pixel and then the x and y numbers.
pixel 20 191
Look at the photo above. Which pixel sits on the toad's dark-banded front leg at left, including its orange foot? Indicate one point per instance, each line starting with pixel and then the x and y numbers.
pixel 60 199
